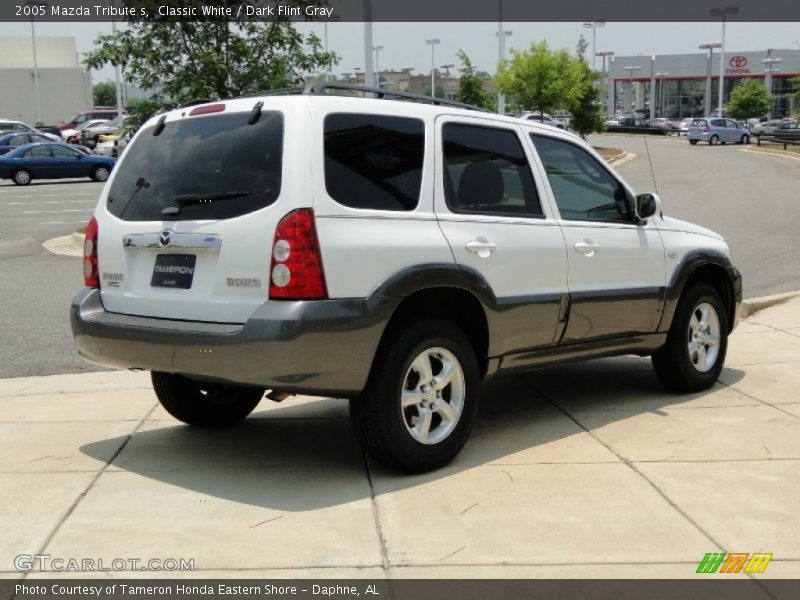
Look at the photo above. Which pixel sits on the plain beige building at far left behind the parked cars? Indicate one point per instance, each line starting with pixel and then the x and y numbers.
pixel 64 87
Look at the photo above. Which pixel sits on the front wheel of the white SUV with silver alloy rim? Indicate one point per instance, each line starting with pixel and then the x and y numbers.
pixel 694 354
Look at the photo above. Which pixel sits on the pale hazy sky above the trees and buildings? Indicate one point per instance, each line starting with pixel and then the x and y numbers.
pixel 404 43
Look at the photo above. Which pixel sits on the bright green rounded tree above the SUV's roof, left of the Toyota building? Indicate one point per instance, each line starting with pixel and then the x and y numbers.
pixel 540 79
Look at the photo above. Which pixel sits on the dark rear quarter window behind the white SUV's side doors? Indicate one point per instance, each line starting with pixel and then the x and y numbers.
pixel 374 161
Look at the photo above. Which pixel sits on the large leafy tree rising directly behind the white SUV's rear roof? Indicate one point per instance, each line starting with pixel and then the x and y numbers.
pixel 180 61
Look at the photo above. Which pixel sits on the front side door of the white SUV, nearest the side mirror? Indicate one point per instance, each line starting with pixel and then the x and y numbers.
pixel 617 268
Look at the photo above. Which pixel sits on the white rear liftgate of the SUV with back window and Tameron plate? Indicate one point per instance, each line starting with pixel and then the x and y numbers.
pixel 187 221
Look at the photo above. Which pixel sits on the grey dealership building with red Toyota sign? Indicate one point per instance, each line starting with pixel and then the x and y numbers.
pixel 677 85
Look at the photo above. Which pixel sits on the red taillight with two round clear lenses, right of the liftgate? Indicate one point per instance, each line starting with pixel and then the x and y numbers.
pixel 296 268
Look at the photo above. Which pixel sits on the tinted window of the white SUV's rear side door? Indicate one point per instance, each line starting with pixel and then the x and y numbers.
pixel 486 172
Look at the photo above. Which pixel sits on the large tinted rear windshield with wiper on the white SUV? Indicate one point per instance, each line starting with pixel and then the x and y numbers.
pixel 200 158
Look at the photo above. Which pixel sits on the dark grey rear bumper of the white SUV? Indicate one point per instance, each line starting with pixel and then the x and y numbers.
pixel 315 347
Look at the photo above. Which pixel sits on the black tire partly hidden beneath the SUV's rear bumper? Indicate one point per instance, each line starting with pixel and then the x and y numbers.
pixel 204 404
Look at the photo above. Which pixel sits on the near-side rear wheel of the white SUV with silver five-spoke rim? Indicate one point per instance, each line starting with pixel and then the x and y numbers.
pixel 419 405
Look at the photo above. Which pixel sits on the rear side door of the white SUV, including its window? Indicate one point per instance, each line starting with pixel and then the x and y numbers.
pixel 490 209
